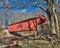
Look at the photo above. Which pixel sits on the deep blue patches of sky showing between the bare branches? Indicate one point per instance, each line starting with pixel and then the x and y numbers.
pixel 29 9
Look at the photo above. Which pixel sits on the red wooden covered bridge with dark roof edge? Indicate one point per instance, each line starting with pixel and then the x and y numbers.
pixel 27 25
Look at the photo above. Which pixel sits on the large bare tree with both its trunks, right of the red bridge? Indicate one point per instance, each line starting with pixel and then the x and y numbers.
pixel 51 12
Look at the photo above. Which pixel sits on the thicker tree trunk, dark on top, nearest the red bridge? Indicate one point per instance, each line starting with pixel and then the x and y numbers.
pixel 50 15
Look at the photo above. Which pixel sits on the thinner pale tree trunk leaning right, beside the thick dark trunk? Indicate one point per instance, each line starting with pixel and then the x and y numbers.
pixel 56 22
